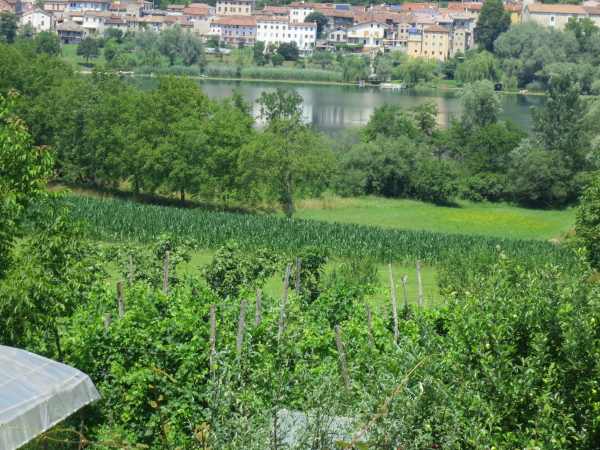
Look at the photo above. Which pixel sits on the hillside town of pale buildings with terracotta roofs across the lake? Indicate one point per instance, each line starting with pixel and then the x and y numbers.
pixel 423 30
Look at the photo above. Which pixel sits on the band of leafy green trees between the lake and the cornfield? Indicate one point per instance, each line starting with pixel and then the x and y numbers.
pixel 173 139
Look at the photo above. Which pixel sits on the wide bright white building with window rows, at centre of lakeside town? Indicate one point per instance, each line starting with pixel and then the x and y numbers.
pixel 277 30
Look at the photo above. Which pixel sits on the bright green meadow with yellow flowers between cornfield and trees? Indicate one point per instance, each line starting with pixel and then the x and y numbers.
pixel 489 219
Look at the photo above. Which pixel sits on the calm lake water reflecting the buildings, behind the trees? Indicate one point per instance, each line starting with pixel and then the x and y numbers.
pixel 331 108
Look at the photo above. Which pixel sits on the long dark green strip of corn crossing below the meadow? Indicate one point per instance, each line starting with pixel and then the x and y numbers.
pixel 119 220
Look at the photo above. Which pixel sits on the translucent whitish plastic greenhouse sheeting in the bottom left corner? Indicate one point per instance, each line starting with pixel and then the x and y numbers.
pixel 36 393
